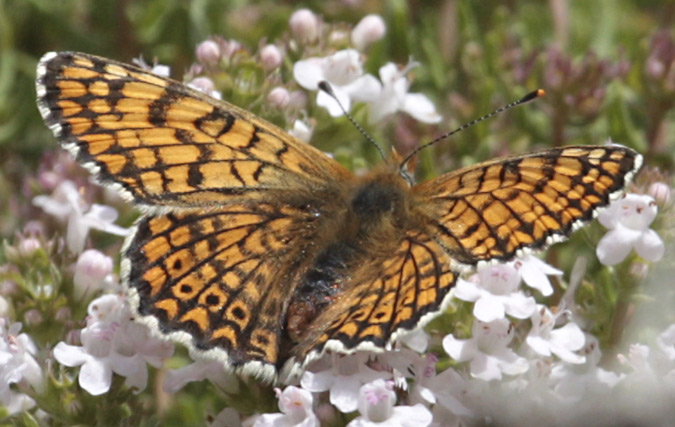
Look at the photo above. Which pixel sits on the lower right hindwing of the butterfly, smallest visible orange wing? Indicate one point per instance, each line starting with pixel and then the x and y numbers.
pixel 392 291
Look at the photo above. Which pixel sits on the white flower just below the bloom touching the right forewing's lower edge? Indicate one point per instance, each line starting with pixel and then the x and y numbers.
pixel 487 351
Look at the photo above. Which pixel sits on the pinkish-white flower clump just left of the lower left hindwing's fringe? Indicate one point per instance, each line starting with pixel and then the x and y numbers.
pixel 111 342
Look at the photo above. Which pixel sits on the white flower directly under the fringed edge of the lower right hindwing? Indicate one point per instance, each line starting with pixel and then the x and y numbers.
pixel 343 379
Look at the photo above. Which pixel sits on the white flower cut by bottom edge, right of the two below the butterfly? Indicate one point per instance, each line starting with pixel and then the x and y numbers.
pixel 376 405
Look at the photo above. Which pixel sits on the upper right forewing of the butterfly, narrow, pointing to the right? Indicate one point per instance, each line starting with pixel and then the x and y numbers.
pixel 493 210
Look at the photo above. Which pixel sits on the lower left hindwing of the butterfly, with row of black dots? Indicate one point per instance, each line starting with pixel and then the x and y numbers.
pixel 218 280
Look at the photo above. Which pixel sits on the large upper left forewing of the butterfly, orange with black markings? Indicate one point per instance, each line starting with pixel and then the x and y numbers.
pixel 164 144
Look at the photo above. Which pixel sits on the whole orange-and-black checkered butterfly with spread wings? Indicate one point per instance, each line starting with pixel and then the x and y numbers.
pixel 259 250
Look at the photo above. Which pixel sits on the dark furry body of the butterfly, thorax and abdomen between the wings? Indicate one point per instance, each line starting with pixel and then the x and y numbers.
pixel 378 207
